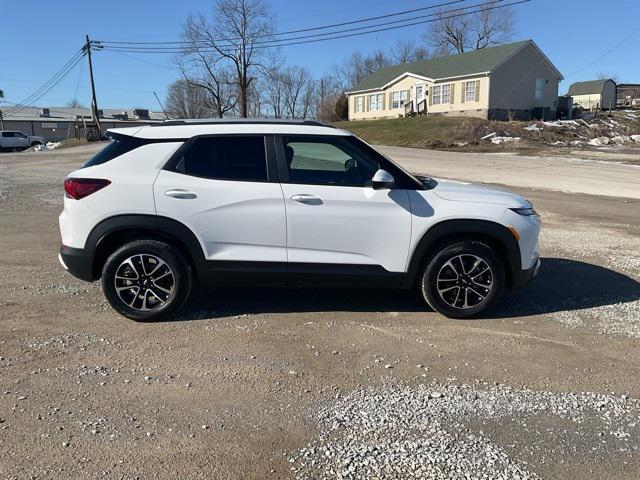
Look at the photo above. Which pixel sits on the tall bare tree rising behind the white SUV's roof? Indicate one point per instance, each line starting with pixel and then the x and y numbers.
pixel 233 38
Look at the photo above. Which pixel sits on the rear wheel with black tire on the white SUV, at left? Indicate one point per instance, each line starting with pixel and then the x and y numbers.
pixel 148 251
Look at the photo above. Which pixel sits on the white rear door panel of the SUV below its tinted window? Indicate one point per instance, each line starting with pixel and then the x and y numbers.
pixel 234 221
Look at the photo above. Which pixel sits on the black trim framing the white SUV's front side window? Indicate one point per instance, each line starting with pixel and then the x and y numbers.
pixel 403 180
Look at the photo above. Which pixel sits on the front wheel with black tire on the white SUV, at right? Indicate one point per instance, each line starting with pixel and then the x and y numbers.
pixel 463 254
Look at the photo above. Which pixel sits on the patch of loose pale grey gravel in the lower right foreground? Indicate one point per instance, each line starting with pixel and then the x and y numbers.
pixel 425 432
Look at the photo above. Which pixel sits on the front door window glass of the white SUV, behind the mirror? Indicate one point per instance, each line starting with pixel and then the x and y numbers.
pixel 335 161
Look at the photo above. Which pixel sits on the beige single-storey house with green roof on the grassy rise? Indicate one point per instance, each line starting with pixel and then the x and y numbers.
pixel 514 80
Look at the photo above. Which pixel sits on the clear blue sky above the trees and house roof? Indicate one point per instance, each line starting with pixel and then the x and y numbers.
pixel 583 38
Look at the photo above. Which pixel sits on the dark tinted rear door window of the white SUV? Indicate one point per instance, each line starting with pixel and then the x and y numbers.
pixel 239 158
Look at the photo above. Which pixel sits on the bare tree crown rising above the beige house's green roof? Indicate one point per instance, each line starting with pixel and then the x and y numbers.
pixel 486 27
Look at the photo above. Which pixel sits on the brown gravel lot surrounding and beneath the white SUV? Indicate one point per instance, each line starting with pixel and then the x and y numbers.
pixel 319 384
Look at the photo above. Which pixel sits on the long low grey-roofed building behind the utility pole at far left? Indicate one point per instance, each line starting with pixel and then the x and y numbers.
pixel 59 123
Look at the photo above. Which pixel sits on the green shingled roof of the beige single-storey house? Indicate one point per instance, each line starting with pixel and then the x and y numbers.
pixel 468 63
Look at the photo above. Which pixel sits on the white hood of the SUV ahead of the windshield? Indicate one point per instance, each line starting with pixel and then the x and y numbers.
pixel 469 192
